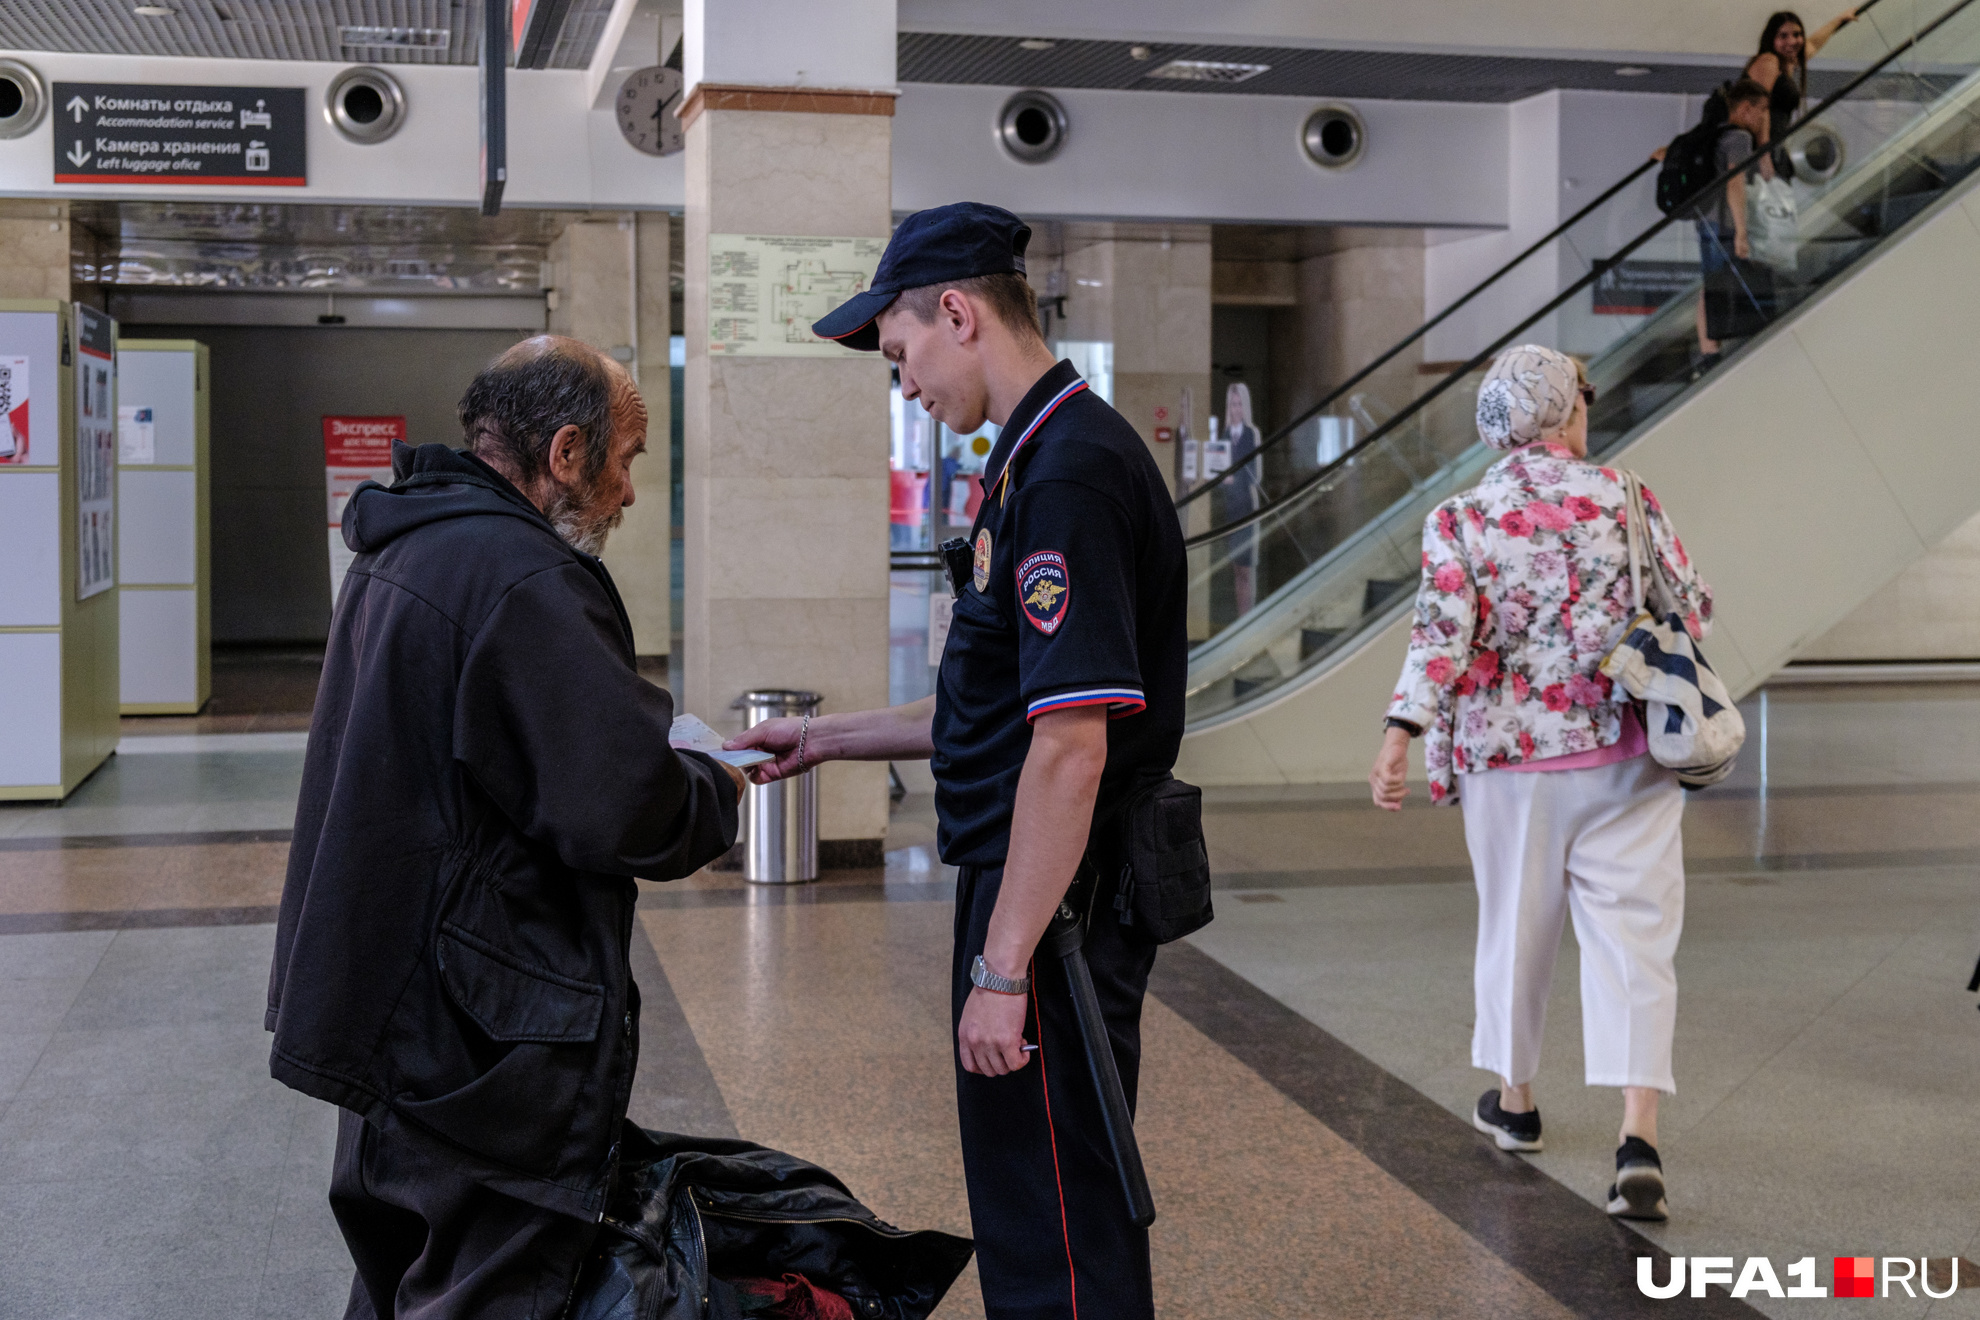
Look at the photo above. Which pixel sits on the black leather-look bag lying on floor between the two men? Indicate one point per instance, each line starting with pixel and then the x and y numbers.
pixel 694 1212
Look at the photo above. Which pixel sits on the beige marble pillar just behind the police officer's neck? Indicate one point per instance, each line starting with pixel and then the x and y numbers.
pixel 1145 292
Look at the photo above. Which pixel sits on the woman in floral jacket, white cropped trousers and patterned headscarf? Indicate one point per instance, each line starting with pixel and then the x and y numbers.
pixel 1526 591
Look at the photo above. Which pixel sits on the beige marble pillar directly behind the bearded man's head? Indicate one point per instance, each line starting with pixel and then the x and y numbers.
pixel 611 290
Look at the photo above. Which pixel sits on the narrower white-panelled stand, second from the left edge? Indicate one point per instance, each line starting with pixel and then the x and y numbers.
pixel 163 567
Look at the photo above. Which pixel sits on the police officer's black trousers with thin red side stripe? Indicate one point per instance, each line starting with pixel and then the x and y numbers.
pixel 1046 1208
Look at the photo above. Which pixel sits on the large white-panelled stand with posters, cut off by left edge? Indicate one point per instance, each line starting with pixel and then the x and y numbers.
pixel 58 537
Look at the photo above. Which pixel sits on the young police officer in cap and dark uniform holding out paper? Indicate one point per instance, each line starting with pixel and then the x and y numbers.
pixel 1060 696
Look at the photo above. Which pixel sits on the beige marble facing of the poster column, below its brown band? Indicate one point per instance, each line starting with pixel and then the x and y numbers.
pixel 787 458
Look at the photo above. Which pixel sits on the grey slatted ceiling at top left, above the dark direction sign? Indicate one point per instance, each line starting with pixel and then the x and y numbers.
pixel 441 31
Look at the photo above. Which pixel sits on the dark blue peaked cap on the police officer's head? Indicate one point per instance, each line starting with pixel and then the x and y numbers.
pixel 932 248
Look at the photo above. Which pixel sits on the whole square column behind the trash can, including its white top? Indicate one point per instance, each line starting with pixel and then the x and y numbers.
pixel 789 134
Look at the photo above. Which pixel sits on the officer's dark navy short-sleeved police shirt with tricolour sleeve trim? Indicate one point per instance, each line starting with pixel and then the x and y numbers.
pixel 1078 601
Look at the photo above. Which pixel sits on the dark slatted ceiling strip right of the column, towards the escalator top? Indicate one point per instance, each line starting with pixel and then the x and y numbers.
pixel 1292 72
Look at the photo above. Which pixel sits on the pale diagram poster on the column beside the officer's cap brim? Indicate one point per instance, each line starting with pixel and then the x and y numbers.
pixel 767 292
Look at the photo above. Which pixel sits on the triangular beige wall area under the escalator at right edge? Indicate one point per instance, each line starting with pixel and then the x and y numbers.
pixel 1930 613
